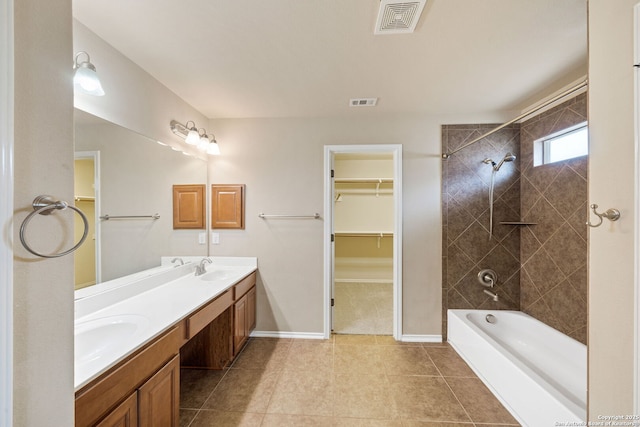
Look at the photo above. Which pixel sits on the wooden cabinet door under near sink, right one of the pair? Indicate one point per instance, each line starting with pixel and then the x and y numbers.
pixel 159 397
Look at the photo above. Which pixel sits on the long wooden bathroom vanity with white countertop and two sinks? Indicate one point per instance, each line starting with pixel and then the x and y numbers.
pixel 131 340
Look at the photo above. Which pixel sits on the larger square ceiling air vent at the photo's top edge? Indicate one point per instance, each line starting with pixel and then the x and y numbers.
pixel 395 17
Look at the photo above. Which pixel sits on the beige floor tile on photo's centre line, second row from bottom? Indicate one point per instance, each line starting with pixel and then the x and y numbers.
pixel 307 393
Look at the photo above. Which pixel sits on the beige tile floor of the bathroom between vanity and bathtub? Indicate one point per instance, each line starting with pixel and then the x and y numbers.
pixel 349 380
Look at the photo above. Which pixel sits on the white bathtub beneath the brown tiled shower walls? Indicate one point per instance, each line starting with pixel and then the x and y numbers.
pixel 537 373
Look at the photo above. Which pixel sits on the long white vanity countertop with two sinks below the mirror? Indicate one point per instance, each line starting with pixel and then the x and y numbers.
pixel 144 310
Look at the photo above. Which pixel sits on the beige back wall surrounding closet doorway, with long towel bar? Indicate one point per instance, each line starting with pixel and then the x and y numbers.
pixel 281 162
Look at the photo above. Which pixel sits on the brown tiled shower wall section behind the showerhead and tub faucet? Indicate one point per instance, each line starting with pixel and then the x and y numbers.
pixel 465 195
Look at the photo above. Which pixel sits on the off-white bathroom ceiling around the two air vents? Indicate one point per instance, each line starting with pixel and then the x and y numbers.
pixel 307 58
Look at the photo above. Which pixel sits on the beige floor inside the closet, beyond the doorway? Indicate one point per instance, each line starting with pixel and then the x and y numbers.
pixel 363 308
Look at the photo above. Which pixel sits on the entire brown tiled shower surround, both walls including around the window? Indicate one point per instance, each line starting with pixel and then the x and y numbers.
pixel 541 268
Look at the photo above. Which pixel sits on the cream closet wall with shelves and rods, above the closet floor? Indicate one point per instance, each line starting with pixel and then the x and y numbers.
pixel 363 218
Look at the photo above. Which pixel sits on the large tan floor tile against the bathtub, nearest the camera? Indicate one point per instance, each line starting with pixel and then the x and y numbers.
pixel 479 402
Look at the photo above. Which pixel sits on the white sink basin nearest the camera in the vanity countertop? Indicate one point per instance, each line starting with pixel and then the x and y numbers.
pixel 97 338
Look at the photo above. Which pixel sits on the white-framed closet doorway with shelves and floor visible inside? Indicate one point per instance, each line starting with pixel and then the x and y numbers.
pixel 363 230
